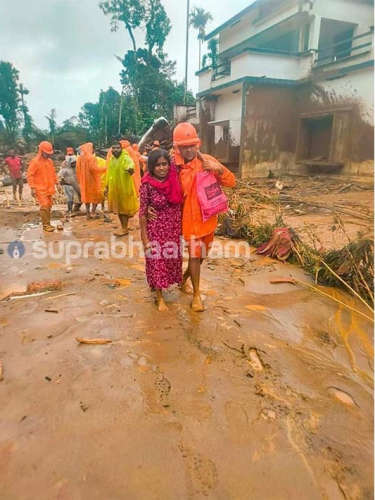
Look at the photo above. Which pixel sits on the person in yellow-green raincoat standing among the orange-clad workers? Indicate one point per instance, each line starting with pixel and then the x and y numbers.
pixel 120 188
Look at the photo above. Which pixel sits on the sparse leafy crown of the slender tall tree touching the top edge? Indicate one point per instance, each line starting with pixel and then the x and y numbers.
pixel 129 12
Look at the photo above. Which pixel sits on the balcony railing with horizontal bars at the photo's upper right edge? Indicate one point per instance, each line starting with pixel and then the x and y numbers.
pixel 350 47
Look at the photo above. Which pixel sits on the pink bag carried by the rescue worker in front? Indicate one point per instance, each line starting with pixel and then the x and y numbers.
pixel 211 198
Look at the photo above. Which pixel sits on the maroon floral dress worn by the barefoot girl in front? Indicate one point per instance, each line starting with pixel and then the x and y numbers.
pixel 164 261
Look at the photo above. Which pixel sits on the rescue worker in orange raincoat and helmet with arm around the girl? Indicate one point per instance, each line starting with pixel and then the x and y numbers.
pixel 199 235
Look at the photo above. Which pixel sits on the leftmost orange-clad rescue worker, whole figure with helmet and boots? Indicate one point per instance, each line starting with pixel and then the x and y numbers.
pixel 42 179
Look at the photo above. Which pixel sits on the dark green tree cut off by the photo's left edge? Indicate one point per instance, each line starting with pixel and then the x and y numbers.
pixel 9 99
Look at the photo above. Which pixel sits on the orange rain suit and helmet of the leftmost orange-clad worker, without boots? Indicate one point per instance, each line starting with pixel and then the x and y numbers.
pixel 41 176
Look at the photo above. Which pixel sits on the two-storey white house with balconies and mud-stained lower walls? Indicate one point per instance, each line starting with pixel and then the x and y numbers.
pixel 292 88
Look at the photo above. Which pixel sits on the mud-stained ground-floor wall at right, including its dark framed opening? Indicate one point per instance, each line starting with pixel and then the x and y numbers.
pixel 338 115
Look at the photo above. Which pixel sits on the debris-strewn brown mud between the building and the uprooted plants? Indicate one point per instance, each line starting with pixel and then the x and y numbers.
pixel 311 206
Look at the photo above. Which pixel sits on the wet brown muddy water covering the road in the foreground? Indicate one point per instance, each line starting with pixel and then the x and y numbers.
pixel 266 395
